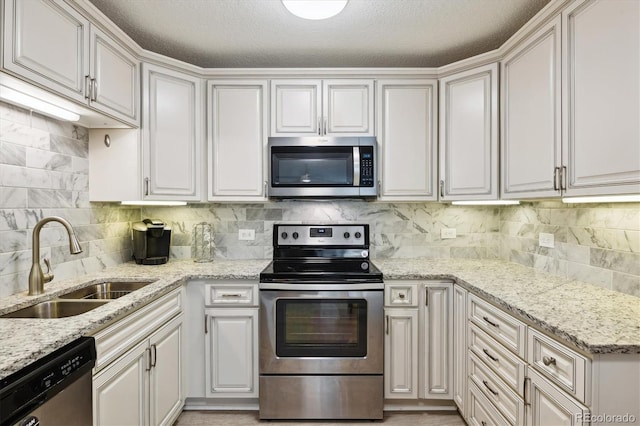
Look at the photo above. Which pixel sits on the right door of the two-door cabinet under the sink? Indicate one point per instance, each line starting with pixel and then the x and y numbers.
pixel 166 393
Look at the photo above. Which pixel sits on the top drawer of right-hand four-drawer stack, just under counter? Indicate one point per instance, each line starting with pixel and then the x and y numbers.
pixel 498 324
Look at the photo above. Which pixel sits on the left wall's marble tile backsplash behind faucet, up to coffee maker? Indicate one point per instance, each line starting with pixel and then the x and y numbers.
pixel 44 171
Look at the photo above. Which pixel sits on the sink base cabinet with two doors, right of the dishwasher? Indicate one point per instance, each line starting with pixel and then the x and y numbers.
pixel 138 375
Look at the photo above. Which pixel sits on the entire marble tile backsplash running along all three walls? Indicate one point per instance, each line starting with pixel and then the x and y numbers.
pixel 44 171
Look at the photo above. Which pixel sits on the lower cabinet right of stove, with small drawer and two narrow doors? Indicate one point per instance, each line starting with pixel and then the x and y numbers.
pixel 418 340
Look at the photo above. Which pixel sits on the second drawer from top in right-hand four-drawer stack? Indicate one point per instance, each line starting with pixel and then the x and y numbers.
pixel 505 364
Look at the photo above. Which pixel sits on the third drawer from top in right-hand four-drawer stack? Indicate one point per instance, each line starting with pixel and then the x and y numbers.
pixel 499 393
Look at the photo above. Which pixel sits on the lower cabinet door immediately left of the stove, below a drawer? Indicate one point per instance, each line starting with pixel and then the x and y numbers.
pixel 232 353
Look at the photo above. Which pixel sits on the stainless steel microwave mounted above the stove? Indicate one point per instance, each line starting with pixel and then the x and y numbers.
pixel 322 167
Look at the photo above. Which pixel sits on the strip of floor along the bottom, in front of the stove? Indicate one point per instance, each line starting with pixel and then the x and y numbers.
pixel 238 418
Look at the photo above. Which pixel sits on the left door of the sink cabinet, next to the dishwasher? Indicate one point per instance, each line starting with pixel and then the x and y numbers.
pixel 120 391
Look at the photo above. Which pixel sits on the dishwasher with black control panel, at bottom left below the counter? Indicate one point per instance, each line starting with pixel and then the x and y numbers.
pixel 54 390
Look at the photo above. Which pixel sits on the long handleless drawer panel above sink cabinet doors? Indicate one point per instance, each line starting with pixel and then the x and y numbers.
pixel 118 338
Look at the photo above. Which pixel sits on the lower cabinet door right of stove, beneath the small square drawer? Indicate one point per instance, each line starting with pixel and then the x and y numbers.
pixel 401 354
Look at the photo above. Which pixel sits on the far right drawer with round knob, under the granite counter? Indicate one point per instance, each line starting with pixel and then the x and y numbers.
pixel 558 363
